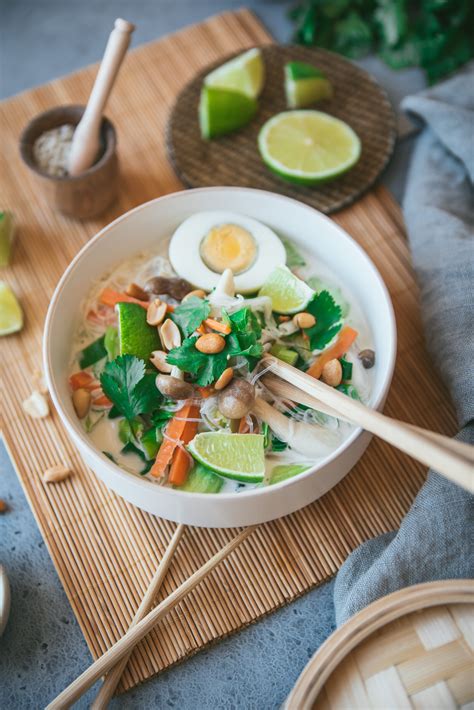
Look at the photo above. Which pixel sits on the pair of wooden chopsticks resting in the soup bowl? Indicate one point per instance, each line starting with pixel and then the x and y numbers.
pixel 453 459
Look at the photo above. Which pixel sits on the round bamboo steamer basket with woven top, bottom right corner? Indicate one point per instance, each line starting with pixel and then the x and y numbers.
pixel 411 649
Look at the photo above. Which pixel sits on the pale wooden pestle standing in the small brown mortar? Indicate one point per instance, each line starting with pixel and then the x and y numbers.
pixel 85 143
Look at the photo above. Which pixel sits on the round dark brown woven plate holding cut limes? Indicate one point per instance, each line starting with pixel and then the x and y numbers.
pixel 234 159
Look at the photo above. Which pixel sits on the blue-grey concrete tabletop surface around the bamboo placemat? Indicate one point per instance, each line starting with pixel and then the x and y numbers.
pixel 43 649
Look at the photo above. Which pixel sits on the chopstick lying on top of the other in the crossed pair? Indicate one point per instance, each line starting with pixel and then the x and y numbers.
pixel 134 635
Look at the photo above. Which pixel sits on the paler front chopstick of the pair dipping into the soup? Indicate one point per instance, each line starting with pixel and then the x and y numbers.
pixel 427 447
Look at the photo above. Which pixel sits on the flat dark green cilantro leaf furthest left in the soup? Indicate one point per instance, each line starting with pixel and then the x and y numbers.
pixel 126 383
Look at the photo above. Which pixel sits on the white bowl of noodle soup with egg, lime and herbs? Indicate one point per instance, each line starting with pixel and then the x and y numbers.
pixel 156 352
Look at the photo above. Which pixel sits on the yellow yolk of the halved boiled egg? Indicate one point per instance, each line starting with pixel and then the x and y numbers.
pixel 228 246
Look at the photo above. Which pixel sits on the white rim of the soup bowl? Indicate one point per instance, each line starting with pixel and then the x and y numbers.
pixel 143 483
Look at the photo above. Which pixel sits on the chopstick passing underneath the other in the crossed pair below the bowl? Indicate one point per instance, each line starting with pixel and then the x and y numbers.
pixel 113 677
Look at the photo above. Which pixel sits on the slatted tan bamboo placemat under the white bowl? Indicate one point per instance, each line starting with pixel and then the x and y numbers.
pixel 105 551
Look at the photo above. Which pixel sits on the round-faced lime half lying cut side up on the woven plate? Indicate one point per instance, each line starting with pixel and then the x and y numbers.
pixel 308 147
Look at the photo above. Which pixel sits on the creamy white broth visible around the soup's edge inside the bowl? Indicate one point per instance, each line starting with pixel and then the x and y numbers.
pixel 139 269
